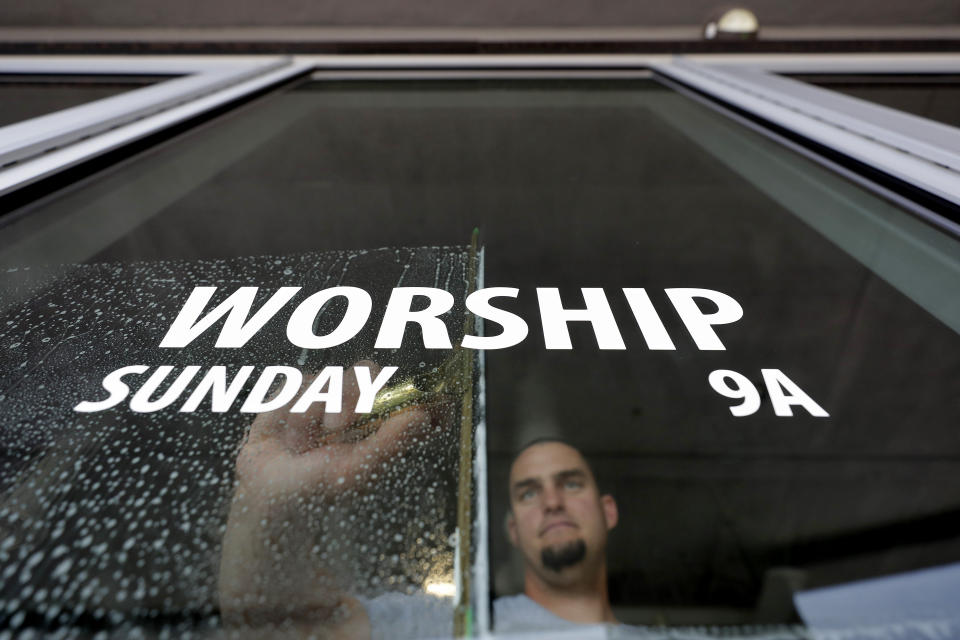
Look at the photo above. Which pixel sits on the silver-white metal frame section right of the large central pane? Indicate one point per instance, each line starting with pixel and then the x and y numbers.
pixel 912 149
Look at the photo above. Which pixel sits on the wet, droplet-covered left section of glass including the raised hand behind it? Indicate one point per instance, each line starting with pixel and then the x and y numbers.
pixel 117 518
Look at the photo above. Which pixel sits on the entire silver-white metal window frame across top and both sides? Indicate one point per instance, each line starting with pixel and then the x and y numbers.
pixel 915 150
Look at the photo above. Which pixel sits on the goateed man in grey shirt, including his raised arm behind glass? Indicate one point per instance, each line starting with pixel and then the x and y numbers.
pixel 291 464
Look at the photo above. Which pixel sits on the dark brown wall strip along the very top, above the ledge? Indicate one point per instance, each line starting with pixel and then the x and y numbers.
pixel 464 13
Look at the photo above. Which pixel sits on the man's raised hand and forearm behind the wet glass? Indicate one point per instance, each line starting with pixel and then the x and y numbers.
pixel 290 465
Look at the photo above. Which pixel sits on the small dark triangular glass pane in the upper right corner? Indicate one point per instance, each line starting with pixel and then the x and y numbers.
pixel 933 96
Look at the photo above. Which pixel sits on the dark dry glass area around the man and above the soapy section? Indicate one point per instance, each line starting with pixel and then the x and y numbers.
pixel 722 517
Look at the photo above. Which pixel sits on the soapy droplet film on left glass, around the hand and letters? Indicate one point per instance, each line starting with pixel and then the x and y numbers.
pixel 114 521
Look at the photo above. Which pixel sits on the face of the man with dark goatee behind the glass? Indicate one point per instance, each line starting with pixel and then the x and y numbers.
pixel 559 520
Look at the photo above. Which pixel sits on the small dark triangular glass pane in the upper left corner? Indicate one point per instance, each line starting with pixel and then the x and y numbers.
pixel 28 96
